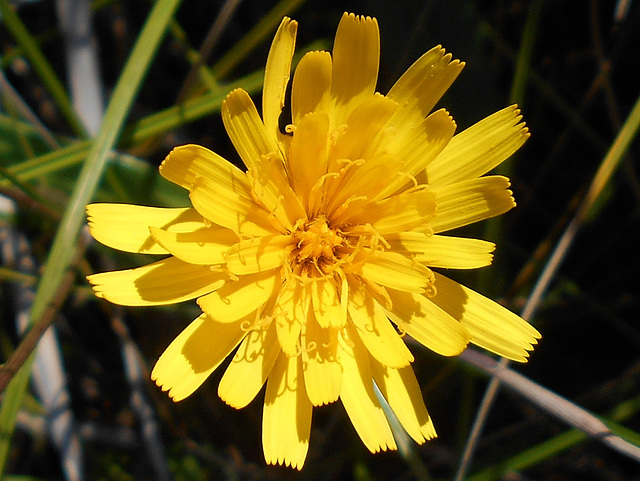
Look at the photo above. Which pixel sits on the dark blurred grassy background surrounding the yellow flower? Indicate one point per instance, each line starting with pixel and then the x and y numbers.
pixel 93 413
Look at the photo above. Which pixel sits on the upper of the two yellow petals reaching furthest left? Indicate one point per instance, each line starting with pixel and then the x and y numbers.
pixel 126 227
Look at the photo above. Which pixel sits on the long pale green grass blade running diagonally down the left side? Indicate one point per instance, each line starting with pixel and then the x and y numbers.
pixel 67 234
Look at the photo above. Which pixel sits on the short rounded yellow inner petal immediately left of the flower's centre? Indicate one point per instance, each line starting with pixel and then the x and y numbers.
pixel 259 254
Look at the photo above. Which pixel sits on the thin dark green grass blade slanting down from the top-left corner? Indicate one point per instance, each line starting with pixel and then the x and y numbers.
pixel 41 66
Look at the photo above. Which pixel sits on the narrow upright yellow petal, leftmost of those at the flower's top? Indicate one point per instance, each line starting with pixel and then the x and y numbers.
pixel 276 74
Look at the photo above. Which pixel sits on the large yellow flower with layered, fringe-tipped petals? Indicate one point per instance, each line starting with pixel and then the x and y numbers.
pixel 318 259
